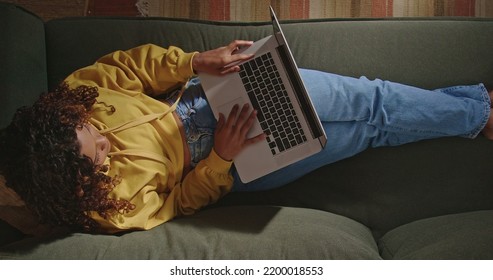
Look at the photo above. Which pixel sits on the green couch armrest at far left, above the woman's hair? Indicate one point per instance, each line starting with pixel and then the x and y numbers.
pixel 23 67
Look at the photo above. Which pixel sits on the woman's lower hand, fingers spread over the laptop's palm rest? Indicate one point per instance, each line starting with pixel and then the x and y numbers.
pixel 231 135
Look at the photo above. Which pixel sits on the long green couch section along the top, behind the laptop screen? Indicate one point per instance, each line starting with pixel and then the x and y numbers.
pixel 430 53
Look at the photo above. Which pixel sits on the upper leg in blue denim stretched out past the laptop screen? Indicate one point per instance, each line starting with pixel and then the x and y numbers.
pixel 402 109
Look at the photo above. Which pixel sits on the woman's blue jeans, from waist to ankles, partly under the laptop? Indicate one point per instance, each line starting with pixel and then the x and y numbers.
pixel 357 114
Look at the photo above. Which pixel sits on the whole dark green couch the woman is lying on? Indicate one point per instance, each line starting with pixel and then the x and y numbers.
pixel 427 200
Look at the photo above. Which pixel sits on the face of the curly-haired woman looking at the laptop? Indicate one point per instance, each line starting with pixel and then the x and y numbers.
pixel 93 144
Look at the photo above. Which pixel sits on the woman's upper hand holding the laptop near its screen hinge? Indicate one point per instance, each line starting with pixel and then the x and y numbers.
pixel 216 61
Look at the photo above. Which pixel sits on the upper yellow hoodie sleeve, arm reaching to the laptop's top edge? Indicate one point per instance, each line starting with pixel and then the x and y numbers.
pixel 148 69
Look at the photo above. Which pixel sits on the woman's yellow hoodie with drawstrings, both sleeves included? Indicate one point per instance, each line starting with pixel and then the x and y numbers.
pixel 149 157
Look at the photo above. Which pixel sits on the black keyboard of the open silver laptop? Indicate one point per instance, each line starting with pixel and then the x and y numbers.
pixel 270 98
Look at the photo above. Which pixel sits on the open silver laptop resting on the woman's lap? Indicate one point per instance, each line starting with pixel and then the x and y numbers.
pixel 271 83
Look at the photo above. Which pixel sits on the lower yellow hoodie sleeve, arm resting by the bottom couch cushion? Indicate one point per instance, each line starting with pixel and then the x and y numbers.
pixel 205 184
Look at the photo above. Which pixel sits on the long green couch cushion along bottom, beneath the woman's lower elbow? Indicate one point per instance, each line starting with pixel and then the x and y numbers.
pixel 247 232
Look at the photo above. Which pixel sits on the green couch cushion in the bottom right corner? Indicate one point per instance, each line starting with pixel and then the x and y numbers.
pixel 460 236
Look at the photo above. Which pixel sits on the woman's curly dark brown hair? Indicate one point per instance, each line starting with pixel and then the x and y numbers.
pixel 42 162
